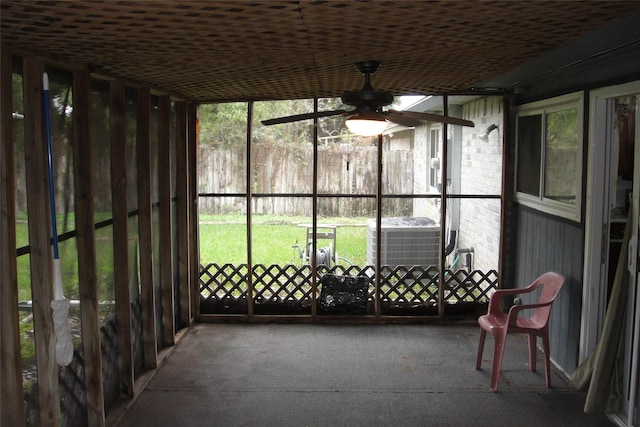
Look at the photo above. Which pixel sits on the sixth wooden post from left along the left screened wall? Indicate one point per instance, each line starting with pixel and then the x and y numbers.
pixel 166 245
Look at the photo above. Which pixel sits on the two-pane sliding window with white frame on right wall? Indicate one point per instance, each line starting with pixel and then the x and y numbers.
pixel 549 156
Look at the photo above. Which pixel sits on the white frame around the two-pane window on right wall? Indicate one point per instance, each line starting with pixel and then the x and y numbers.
pixel 544 108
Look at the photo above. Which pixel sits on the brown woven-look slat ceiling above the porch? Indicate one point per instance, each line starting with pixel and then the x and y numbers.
pixel 242 50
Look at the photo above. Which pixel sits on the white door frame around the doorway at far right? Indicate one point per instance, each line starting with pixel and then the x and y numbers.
pixel 597 211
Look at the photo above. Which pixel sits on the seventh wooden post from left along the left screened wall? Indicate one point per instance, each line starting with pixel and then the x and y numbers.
pixel 182 178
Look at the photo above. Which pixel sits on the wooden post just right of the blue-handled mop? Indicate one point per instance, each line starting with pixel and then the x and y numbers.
pixel 86 241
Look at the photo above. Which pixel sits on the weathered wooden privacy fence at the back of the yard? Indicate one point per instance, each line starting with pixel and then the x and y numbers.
pixel 288 169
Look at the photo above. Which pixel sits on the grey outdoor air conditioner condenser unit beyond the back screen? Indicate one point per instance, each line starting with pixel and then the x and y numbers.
pixel 404 241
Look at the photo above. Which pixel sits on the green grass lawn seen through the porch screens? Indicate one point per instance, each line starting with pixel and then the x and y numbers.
pixel 223 239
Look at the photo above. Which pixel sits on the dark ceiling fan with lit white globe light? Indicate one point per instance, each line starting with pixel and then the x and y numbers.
pixel 368 117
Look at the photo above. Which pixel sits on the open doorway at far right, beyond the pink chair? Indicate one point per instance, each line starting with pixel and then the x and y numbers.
pixel 612 207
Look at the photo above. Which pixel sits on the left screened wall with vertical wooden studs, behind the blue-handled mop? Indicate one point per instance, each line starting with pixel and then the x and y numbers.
pixel 97 168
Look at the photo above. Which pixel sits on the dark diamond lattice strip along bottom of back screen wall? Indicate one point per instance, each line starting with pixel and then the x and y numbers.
pixel 288 289
